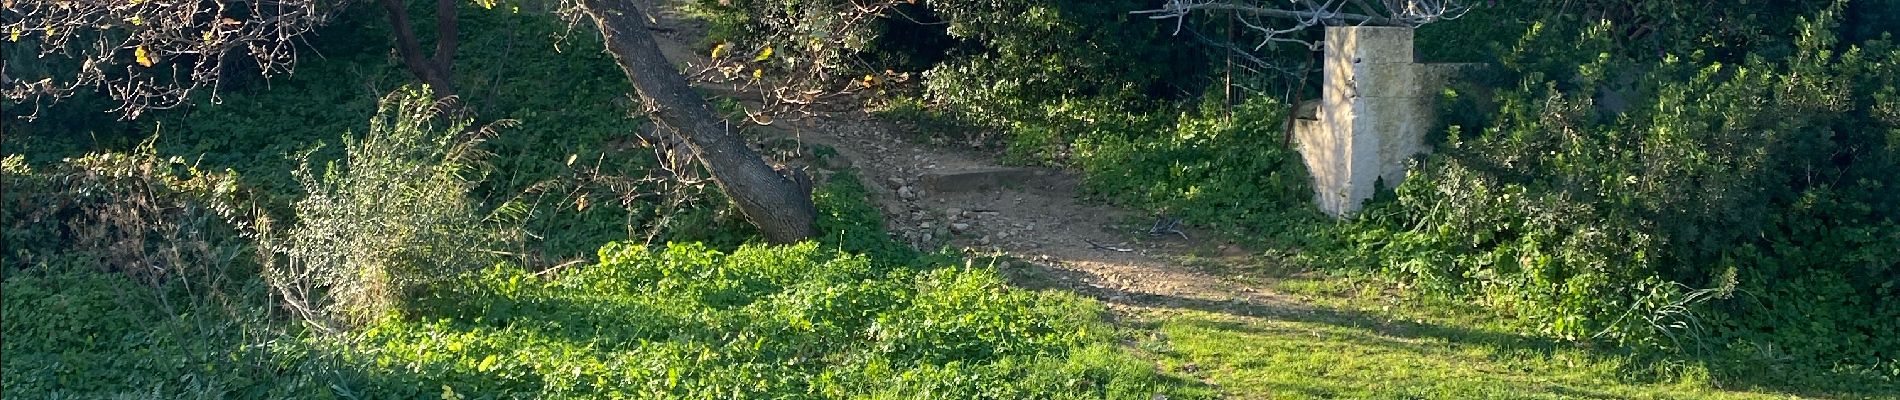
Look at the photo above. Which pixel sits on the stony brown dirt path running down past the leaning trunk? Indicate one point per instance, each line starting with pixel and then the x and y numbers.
pixel 1031 217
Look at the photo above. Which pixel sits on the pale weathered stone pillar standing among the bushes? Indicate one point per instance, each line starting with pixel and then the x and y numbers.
pixel 1373 117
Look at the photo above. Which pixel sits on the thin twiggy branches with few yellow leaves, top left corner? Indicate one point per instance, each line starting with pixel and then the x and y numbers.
pixel 145 54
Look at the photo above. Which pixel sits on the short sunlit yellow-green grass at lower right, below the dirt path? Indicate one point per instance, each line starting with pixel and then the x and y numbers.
pixel 1361 338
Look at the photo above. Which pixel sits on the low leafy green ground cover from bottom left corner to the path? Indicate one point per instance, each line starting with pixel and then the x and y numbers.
pixel 675 323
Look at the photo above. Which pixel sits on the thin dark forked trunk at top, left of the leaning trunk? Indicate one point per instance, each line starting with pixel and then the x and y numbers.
pixel 430 69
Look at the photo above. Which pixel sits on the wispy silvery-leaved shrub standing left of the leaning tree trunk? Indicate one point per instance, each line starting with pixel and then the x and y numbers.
pixel 387 221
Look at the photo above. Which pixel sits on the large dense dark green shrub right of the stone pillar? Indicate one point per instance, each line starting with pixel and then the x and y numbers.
pixel 1741 209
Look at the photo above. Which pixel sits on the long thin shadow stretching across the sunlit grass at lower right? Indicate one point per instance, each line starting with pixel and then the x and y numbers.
pixel 1641 367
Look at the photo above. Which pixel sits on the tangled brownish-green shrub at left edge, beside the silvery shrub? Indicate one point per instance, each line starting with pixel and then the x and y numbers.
pixel 153 219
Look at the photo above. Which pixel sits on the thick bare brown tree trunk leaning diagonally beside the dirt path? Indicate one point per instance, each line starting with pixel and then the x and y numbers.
pixel 780 208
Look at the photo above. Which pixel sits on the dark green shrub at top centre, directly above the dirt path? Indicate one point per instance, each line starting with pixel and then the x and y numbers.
pixel 1036 71
